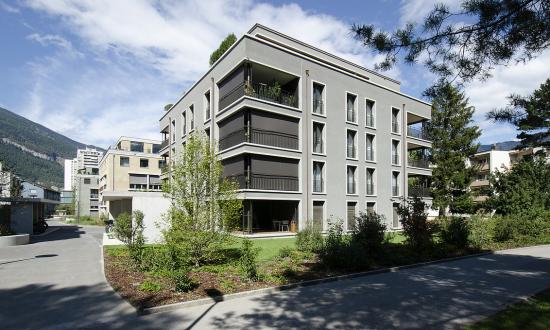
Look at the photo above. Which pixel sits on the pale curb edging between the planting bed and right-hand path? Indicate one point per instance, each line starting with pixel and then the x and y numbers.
pixel 275 289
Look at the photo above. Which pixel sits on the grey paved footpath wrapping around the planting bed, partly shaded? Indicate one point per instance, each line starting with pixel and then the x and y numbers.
pixel 57 283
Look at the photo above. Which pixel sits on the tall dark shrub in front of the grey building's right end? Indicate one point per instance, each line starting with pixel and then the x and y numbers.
pixel 416 227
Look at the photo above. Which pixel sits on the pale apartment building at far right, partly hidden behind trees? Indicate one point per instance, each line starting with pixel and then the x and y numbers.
pixel 498 157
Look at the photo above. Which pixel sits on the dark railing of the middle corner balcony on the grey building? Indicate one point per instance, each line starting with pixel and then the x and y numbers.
pixel 259 136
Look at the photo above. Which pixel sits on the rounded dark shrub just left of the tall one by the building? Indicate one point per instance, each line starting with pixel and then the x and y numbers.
pixel 369 231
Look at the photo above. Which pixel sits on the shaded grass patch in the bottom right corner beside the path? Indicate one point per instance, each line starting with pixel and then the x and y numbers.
pixel 532 315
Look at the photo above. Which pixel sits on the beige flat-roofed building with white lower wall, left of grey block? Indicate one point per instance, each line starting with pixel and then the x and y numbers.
pixel 130 180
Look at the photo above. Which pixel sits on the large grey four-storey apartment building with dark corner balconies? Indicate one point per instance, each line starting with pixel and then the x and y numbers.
pixel 307 135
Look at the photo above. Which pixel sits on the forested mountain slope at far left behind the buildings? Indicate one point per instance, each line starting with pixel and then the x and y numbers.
pixel 34 152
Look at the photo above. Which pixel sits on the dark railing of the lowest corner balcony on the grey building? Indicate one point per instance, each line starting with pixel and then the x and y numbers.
pixel 266 182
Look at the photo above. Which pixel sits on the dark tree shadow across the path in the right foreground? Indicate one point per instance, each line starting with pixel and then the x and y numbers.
pixel 438 296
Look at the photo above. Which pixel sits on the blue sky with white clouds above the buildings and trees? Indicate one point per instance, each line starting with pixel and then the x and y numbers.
pixel 97 69
